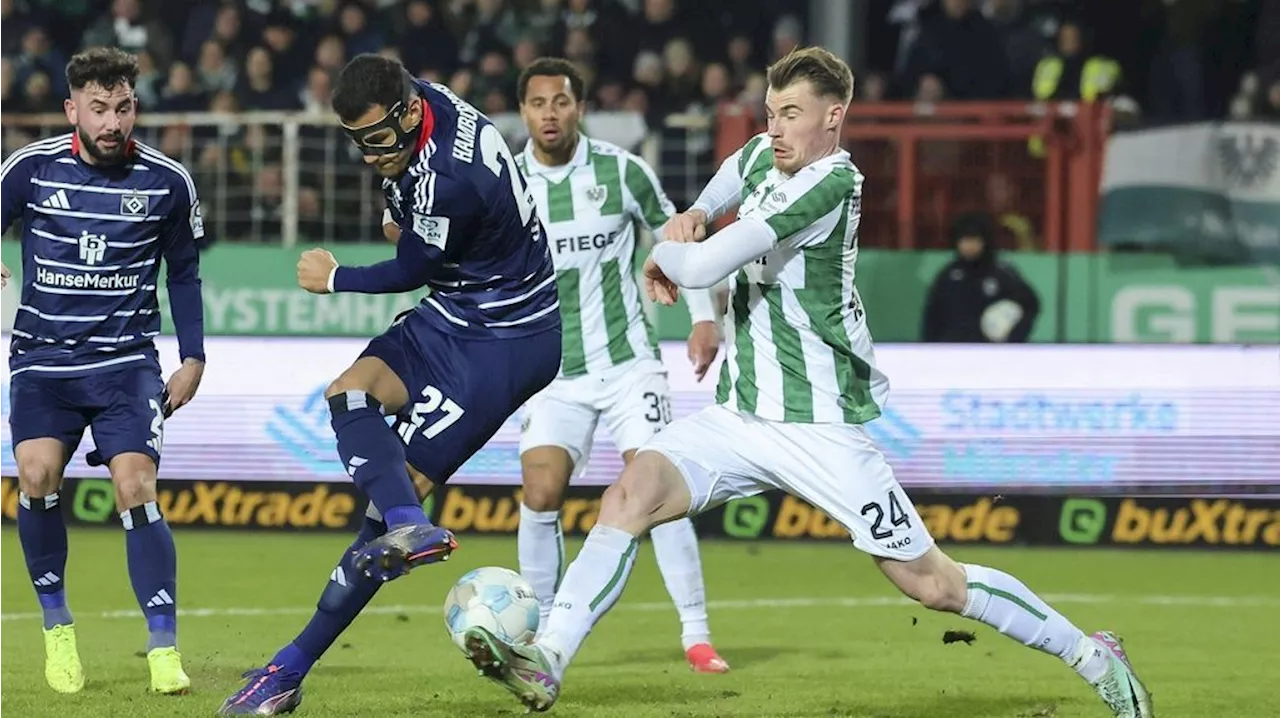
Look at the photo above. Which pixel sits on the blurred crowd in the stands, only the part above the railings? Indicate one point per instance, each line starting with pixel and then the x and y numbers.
pixel 1178 60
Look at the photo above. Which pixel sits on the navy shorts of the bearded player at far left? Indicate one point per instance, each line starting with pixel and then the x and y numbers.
pixel 124 408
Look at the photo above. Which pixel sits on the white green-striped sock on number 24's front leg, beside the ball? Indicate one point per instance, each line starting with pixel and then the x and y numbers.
pixel 591 588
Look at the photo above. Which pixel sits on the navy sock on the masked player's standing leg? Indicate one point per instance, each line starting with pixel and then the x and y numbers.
pixel 345 597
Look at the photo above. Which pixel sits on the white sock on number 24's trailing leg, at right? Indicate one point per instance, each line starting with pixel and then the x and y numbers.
pixel 1004 603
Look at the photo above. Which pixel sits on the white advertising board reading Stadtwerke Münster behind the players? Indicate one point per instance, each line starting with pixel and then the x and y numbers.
pixel 1084 419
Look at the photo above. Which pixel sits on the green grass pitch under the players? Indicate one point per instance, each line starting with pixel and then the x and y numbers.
pixel 811 632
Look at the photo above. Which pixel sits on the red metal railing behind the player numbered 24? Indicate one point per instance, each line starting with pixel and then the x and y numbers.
pixel 1035 166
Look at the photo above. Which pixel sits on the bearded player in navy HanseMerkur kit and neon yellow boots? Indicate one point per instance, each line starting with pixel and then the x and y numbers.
pixel 99 213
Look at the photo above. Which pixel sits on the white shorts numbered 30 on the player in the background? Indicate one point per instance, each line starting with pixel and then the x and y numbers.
pixel 633 399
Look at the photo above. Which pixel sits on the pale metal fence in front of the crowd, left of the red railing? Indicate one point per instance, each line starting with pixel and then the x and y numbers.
pixel 287 177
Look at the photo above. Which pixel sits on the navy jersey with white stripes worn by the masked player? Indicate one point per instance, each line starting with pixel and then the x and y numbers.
pixel 469 231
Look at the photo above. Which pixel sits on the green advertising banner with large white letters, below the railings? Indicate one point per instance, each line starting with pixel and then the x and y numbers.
pixel 250 290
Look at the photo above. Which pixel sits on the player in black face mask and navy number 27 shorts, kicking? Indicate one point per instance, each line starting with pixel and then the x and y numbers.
pixel 454 369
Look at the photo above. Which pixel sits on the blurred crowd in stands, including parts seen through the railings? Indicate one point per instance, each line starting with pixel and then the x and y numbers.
pixel 1156 61
